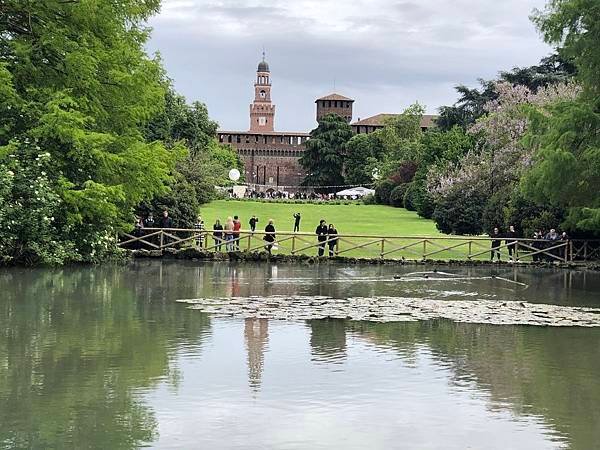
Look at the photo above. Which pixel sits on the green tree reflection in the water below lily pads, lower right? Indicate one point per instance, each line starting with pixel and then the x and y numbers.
pixel 544 371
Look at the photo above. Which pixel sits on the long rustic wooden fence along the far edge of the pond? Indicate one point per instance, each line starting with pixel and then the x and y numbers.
pixel 401 247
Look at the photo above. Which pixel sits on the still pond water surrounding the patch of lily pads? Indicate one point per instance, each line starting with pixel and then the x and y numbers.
pixel 104 357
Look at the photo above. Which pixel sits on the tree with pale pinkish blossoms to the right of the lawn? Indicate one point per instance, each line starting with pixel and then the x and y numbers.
pixel 497 163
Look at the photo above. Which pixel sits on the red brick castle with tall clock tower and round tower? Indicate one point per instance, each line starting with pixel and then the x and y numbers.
pixel 271 158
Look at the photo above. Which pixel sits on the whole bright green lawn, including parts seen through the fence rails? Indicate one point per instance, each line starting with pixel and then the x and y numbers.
pixel 351 219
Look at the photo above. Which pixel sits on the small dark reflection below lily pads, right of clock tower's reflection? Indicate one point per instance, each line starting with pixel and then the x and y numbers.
pixel 327 339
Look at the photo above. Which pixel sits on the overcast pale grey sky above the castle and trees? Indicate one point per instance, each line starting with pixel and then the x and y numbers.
pixel 386 54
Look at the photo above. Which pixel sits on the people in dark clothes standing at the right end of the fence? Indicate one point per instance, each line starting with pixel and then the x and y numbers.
pixel 542 241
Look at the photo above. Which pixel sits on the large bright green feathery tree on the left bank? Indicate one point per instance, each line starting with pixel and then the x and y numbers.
pixel 78 87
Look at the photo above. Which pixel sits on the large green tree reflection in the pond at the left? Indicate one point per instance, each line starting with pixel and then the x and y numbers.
pixel 76 345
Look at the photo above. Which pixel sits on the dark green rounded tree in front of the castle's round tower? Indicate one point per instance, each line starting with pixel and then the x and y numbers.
pixel 323 158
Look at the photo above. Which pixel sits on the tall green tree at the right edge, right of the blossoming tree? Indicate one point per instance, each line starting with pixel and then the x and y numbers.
pixel 566 164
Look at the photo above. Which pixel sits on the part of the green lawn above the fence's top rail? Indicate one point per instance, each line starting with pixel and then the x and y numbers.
pixel 348 219
